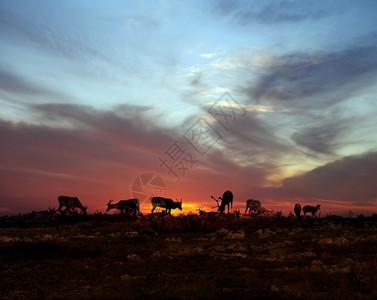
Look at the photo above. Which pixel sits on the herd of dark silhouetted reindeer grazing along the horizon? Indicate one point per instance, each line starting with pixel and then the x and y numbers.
pixel 72 205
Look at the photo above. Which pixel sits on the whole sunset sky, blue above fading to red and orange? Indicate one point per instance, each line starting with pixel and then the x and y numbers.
pixel 273 100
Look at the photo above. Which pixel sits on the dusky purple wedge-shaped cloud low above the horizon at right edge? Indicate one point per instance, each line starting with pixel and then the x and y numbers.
pixel 347 181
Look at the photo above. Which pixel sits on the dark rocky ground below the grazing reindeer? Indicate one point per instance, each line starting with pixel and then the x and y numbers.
pixel 188 257
